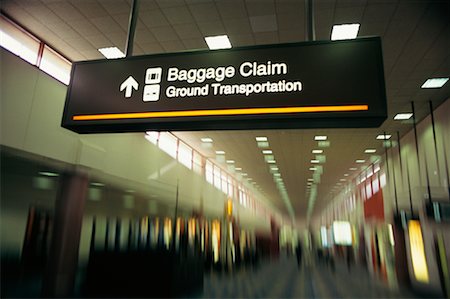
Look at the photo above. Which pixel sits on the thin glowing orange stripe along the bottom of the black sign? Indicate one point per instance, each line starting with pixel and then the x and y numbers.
pixel 218 112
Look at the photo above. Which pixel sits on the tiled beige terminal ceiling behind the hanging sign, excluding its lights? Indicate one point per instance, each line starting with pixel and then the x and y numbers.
pixel 415 37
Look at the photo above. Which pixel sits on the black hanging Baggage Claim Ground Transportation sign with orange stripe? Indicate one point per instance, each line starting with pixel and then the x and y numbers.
pixel 300 85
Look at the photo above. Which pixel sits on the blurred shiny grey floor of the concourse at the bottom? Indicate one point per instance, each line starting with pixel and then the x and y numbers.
pixel 283 279
